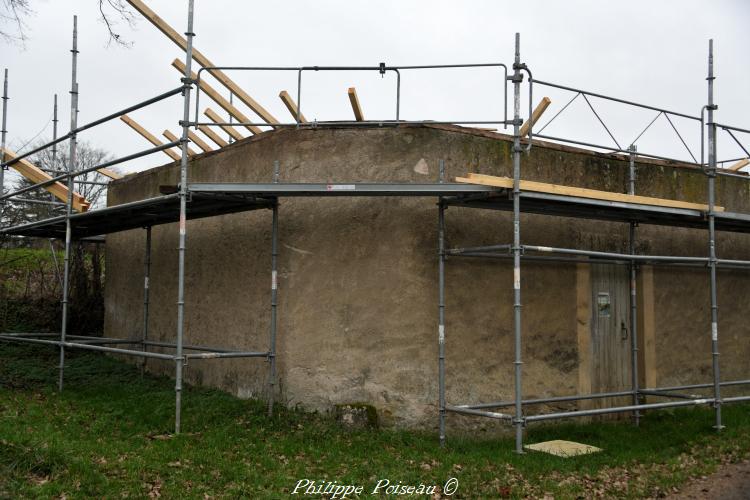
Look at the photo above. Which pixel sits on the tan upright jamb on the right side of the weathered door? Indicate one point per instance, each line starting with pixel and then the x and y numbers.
pixel 646 327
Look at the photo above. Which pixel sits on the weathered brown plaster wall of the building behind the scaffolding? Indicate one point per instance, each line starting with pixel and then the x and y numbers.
pixel 358 276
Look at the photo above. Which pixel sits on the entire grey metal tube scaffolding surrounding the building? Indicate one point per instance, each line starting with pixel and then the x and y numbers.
pixel 197 200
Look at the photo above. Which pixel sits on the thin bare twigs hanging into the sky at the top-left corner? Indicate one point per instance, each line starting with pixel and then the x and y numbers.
pixel 15 13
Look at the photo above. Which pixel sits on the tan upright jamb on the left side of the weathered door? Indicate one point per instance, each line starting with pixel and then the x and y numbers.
pixel 583 330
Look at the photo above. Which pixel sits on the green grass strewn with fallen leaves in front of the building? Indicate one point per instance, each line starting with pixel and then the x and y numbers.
pixel 107 435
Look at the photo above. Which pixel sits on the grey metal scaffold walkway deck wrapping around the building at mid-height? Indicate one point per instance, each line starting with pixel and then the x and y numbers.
pixel 210 199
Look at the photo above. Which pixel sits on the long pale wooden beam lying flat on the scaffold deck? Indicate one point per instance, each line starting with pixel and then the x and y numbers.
pixel 541 187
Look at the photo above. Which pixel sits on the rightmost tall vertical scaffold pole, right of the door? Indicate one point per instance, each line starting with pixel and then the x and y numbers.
pixel 712 234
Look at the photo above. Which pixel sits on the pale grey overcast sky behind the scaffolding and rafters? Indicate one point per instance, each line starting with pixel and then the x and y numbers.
pixel 646 51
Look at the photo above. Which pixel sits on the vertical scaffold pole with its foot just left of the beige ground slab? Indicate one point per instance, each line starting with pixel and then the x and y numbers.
pixel 517 78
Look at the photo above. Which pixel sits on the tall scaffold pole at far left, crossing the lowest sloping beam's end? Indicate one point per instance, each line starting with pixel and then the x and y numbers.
pixel 69 206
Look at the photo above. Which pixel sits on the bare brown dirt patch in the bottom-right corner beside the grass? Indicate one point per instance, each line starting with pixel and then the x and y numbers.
pixel 730 482
